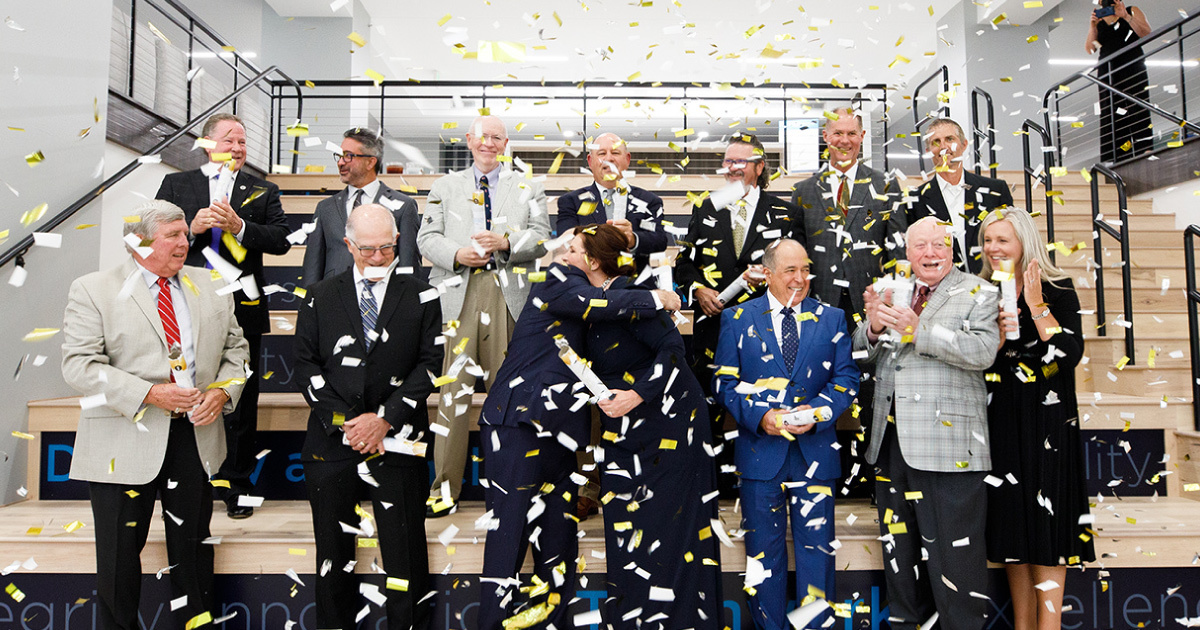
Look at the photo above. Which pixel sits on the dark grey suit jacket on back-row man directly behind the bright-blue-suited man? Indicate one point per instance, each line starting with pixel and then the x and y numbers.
pixel 849 251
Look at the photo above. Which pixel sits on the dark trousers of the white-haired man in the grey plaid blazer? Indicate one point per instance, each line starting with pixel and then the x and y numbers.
pixel 953 507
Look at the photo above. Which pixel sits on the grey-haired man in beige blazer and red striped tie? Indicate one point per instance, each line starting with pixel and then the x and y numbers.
pixel 159 356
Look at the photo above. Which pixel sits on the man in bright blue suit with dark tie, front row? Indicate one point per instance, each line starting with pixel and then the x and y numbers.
pixel 778 353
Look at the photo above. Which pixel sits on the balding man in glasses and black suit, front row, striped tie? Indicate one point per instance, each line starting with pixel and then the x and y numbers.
pixel 367 345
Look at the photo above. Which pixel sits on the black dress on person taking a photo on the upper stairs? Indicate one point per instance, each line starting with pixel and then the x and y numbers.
pixel 1126 73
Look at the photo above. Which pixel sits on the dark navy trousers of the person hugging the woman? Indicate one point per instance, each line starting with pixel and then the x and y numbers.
pixel 518 482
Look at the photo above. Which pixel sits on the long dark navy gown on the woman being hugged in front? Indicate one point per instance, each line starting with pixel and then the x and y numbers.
pixel 656 478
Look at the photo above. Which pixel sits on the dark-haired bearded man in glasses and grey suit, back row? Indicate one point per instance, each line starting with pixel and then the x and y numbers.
pixel 359 164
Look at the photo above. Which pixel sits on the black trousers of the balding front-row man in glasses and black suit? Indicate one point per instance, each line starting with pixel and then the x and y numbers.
pixel 335 489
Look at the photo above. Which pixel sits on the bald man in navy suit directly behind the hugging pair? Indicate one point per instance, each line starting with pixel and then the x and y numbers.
pixel 637 212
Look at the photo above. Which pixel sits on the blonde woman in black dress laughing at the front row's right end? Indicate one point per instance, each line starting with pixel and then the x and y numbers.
pixel 1037 453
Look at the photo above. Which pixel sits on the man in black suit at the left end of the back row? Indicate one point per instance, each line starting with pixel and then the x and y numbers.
pixel 237 218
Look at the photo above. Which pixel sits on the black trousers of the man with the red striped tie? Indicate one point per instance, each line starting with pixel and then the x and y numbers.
pixel 123 523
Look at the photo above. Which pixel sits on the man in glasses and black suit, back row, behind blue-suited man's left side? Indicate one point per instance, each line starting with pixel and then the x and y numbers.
pixel 725 245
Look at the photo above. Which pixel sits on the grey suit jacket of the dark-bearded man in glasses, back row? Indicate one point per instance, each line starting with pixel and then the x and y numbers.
pixel 326 254
